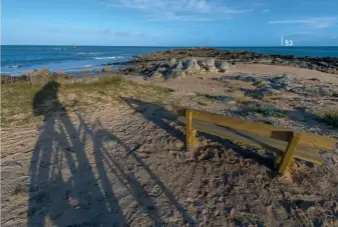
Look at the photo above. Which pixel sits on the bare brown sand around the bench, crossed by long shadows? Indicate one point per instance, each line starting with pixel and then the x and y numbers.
pixel 125 165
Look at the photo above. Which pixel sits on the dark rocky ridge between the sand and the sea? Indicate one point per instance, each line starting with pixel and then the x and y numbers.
pixel 322 64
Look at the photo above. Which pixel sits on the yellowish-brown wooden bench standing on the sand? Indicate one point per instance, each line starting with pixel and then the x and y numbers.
pixel 288 144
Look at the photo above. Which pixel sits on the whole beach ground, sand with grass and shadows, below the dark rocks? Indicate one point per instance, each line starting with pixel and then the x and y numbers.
pixel 109 152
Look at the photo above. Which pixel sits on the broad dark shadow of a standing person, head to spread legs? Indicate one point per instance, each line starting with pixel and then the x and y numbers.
pixel 63 187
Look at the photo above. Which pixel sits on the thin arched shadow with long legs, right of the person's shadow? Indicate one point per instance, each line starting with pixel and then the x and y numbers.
pixel 118 167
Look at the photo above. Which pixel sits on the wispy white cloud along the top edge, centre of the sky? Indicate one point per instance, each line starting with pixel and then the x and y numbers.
pixel 179 10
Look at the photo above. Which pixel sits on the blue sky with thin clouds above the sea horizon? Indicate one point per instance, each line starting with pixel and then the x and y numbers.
pixel 169 22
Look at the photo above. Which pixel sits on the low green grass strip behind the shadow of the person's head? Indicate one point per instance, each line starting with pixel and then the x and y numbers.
pixel 17 99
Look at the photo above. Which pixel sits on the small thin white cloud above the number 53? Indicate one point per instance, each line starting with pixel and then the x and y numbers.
pixel 315 22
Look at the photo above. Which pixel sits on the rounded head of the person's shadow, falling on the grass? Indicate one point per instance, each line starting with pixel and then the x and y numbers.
pixel 46 100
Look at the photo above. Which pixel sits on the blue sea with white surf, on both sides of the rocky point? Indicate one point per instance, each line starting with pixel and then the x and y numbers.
pixel 19 59
